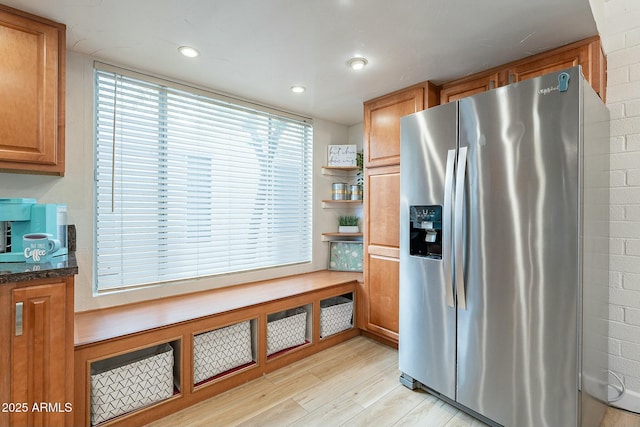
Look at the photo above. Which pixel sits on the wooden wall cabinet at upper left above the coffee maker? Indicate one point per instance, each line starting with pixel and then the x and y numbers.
pixel 32 93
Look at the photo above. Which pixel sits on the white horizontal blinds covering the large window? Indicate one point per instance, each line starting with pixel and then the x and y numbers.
pixel 189 185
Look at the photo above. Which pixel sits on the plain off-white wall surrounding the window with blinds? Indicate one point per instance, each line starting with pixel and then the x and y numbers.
pixel 76 190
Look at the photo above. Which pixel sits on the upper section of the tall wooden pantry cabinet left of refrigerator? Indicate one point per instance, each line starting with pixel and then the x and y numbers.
pixel 382 121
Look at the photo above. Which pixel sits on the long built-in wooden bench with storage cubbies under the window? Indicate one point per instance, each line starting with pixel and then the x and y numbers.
pixel 103 334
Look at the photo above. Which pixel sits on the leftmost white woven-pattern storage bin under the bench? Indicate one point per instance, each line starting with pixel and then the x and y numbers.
pixel 124 383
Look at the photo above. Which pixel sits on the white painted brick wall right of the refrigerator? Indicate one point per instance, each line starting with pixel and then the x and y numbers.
pixel 619 26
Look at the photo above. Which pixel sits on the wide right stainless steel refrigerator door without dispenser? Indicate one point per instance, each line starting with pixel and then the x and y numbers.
pixel 517 338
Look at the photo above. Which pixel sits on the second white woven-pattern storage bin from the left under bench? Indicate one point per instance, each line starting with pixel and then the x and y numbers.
pixel 220 350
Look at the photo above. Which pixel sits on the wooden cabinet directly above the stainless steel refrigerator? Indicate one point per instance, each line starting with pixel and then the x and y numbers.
pixel 587 53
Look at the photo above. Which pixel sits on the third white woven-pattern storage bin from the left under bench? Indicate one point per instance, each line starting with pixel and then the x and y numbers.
pixel 286 329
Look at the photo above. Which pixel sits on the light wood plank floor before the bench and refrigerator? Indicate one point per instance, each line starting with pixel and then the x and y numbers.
pixel 352 384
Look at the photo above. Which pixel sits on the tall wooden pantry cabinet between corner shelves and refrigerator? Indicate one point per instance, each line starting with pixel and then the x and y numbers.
pixel 378 301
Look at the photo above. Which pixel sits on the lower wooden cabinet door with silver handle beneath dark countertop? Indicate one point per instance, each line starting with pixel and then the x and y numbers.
pixel 39 355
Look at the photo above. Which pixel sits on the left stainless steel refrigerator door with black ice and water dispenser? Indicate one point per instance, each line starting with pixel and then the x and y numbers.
pixel 427 322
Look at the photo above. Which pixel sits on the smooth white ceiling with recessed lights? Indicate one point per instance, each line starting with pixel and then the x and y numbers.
pixel 258 49
